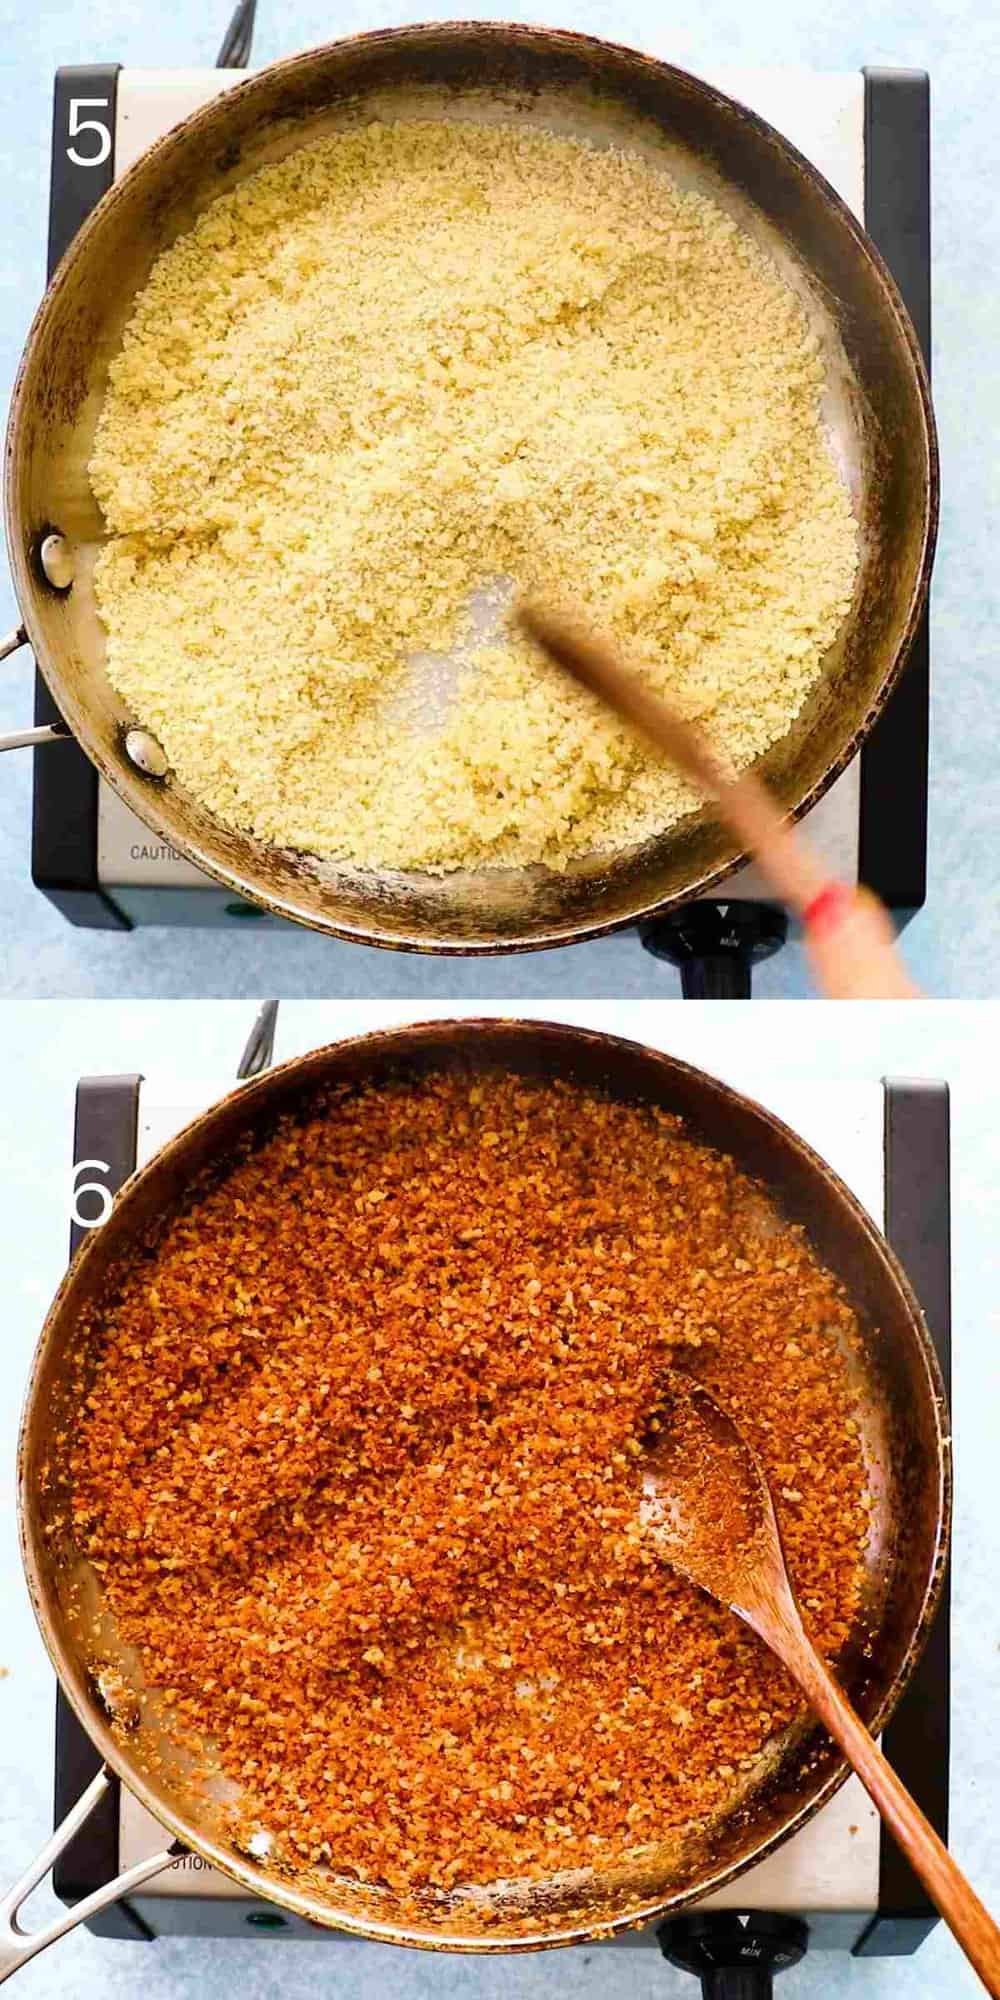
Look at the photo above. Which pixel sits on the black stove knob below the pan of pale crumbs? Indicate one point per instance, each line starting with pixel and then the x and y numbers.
pixel 717 945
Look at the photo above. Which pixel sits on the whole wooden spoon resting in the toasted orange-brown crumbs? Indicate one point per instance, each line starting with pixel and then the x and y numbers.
pixel 707 1511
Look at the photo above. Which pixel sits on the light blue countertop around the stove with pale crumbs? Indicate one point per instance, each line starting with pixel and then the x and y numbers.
pixel 953 945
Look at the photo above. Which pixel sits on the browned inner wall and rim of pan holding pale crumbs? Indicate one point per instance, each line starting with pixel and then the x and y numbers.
pixel 877 407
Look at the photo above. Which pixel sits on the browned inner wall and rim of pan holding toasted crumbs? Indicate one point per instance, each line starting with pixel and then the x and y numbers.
pixel 907 1441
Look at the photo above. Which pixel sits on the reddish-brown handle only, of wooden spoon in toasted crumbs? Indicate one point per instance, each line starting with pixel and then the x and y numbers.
pixel 913 1833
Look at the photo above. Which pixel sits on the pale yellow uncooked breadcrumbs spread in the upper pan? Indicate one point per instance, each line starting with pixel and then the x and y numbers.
pixel 405 363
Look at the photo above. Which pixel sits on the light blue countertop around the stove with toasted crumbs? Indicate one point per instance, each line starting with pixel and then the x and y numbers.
pixel 49 1047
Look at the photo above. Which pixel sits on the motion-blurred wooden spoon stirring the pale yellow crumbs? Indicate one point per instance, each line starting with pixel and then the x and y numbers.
pixel 849 935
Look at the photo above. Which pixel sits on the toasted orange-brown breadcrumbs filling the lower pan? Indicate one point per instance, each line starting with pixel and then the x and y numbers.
pixel 361 1471
